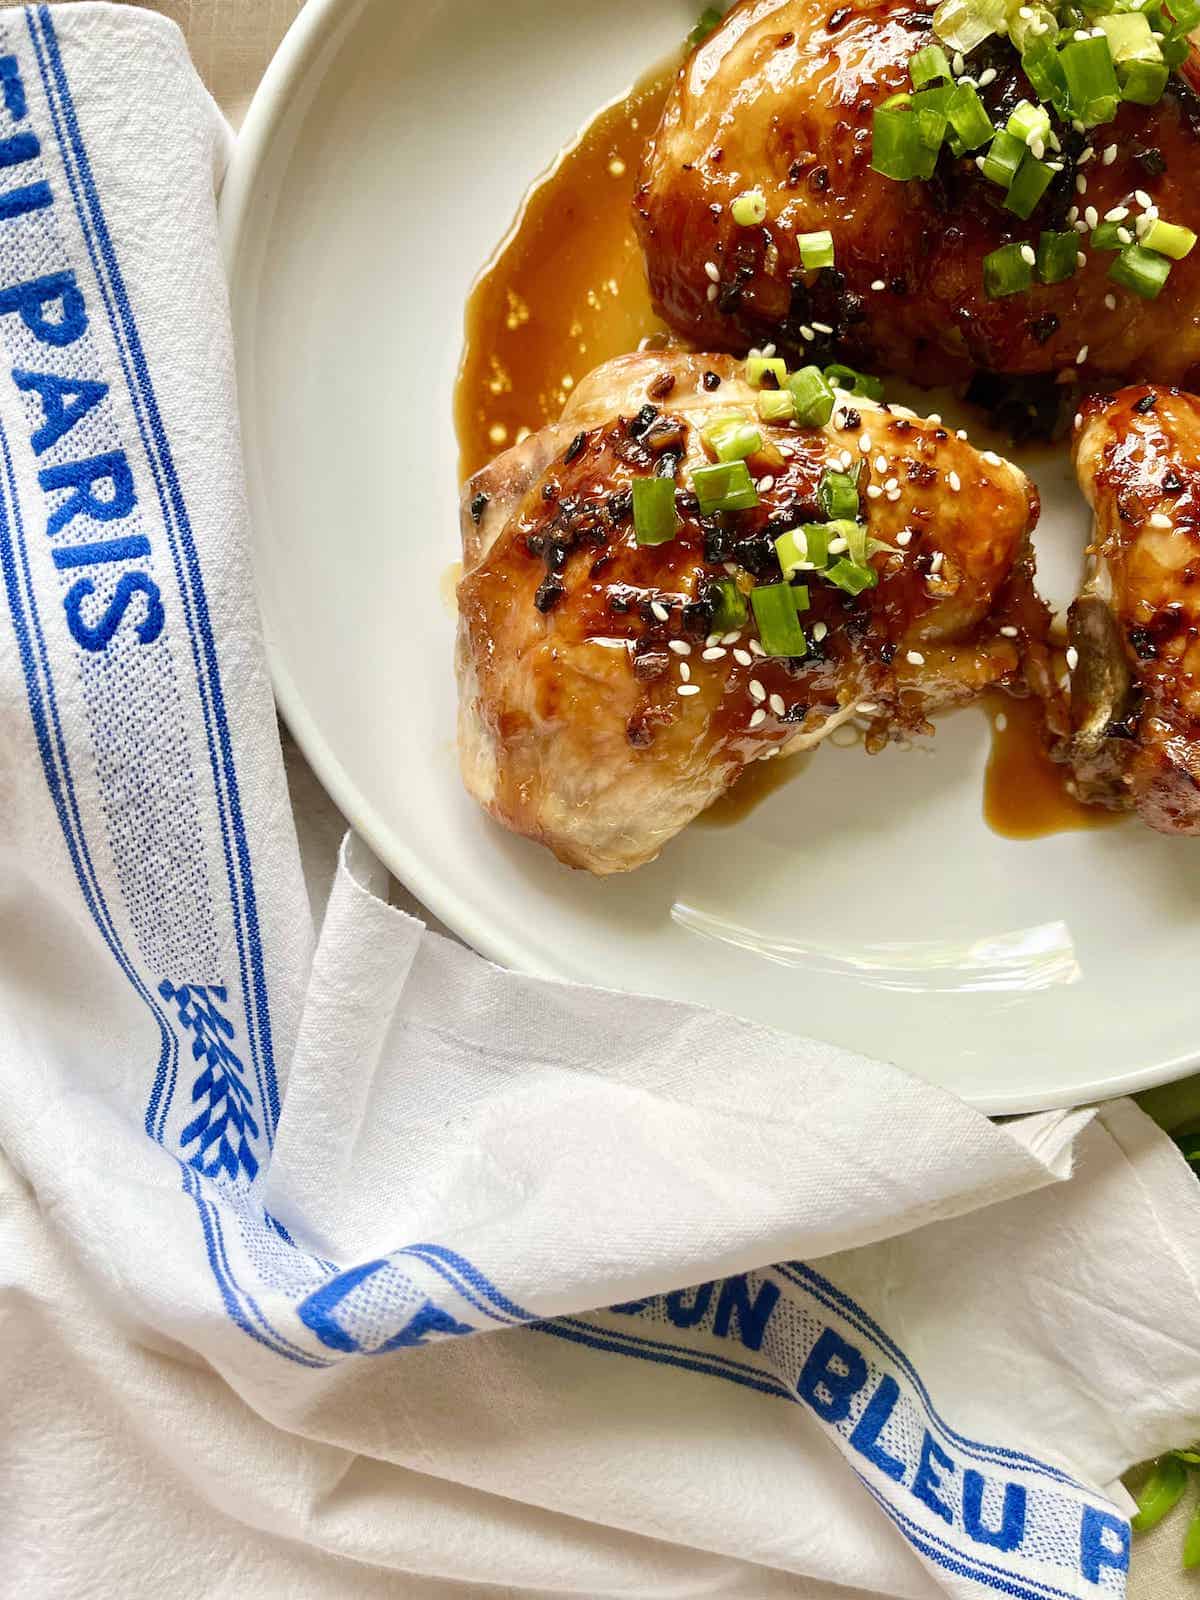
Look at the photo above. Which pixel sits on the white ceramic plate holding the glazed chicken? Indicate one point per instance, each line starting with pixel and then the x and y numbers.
pixel 868 903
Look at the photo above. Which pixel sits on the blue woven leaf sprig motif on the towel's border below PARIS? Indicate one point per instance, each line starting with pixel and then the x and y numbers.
pixel 225 1122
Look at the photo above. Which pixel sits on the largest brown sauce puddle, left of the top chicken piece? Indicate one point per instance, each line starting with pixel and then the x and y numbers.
pixel 566 292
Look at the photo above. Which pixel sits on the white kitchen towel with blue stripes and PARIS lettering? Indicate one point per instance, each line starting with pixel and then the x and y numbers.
pixel 302 1241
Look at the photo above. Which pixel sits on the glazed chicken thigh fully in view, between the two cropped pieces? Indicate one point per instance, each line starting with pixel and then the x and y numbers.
pixel 602 708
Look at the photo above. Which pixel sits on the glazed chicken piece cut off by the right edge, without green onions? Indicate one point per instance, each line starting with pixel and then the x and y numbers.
pixel 1137 626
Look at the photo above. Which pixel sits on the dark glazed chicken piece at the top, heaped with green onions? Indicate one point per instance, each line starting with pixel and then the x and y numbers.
pixel 782 98
